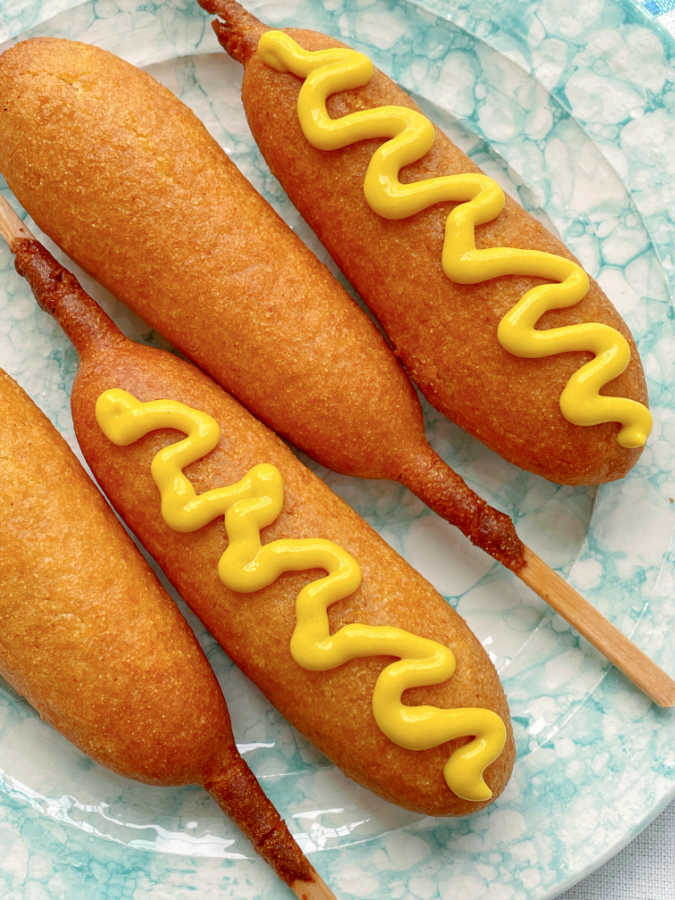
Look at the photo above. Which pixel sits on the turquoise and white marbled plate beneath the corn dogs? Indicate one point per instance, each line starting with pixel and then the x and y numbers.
pixel 572 111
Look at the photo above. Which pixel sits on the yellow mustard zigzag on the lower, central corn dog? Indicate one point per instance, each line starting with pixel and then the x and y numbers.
pixel 247 565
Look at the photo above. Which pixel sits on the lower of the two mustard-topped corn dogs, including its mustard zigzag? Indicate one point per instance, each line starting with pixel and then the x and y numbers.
pixel 320 648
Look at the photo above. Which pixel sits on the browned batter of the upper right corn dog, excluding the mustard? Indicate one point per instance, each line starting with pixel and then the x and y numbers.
pixel 445 333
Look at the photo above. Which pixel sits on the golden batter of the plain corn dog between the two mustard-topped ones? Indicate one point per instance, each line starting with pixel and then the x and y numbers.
pixel 125 178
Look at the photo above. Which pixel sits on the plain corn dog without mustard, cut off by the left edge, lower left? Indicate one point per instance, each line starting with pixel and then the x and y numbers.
pixel 94 643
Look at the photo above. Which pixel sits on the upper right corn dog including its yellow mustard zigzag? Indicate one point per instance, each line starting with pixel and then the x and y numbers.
pixel 474 354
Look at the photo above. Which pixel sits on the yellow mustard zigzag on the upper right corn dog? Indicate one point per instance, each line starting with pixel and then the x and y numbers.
pixel 480 200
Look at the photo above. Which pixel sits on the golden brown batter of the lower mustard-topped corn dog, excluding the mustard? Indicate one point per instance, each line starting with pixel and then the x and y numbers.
pixel 334 708
